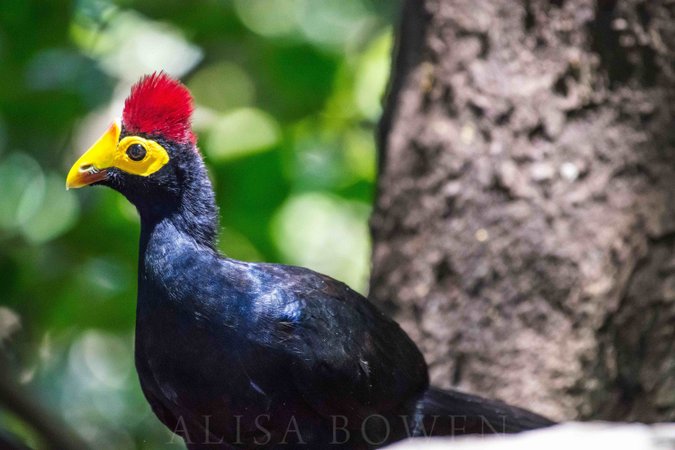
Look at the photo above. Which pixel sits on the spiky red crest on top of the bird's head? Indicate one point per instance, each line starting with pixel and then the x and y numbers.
pixel 161 106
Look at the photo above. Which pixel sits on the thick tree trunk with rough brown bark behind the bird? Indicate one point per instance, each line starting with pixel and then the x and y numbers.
pixel 524 231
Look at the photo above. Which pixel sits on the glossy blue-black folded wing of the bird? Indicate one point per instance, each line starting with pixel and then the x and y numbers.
pixel 347 358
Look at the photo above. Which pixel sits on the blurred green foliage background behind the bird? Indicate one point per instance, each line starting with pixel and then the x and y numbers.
pixel 288 93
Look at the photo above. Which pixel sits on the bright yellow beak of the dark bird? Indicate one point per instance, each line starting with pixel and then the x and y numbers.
pixel 92 166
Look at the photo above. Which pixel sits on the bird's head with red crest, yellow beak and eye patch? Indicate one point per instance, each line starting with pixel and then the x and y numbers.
pixel 150 152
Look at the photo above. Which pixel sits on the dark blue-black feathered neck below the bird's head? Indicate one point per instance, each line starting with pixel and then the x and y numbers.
pixel 190 212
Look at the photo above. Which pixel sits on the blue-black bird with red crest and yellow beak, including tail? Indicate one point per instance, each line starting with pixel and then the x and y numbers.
pixel 242 355
